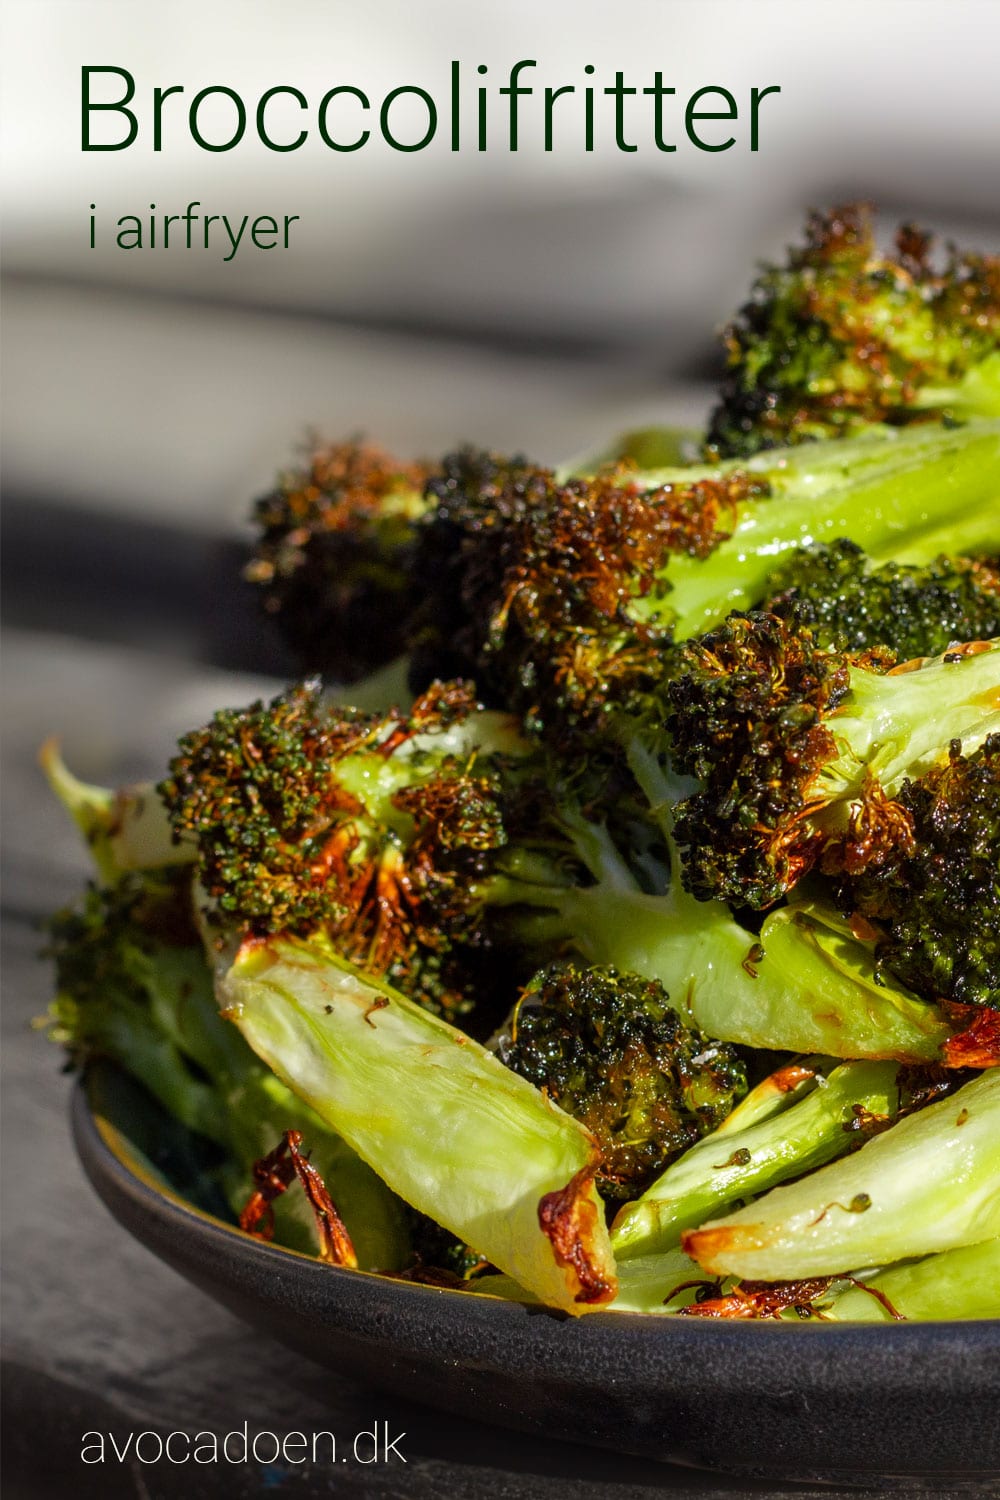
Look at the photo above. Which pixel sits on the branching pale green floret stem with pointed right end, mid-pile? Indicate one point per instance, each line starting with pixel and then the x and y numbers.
pixel 803 983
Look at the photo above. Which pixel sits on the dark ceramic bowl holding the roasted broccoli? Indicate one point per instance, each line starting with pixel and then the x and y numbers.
pixel 905 1403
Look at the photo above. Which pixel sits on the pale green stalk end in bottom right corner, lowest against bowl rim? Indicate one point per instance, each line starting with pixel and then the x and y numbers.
pixel 960 1283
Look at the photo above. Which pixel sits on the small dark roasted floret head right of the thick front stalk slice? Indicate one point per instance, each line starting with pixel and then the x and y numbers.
pixel 611 1051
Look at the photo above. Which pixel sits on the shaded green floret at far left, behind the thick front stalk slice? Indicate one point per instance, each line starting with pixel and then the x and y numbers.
pixel 134 988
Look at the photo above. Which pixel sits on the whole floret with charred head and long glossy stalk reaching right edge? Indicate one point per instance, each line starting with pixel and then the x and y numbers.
pixel 561 596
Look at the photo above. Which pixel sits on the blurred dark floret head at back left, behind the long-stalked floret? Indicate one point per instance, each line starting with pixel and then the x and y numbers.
pixel 334 562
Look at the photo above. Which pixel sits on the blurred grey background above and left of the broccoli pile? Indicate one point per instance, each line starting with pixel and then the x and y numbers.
pixel 533 301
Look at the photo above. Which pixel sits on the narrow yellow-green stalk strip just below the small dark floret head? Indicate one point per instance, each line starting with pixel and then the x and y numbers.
pixel 735 1165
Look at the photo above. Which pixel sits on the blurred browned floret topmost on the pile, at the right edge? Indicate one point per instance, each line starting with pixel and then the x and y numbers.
pixel 843 338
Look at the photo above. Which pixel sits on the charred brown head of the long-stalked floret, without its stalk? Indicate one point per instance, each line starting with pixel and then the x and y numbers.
pixel 555 593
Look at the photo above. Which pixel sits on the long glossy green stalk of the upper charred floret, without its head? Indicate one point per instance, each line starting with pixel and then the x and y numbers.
pixel 905 499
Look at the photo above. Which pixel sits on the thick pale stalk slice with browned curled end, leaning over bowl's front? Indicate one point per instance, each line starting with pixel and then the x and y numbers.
pixel 446 1126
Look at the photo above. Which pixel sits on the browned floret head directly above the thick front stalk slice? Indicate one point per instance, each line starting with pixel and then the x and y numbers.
pixel 364 829
